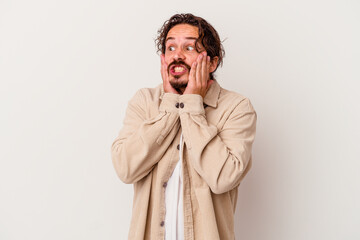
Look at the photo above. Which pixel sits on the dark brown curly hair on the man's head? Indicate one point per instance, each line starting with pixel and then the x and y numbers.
pixel 208 36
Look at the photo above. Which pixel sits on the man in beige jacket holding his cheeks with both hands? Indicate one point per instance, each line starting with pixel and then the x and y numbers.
pixel 186 144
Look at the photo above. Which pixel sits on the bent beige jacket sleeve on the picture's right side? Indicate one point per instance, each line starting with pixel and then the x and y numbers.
pixel 221 158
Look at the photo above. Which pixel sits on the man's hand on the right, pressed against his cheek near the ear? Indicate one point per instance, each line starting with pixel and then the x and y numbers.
pixel 199 81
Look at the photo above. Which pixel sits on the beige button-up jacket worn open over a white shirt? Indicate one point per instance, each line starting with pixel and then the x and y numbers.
pixel 218 133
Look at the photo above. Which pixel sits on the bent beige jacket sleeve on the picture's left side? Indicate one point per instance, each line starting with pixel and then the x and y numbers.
pixel 142 142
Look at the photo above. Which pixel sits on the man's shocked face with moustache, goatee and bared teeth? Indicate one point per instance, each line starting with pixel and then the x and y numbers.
pixel 180 53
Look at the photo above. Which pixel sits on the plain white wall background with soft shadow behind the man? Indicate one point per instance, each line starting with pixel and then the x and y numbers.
pixel 68 69
